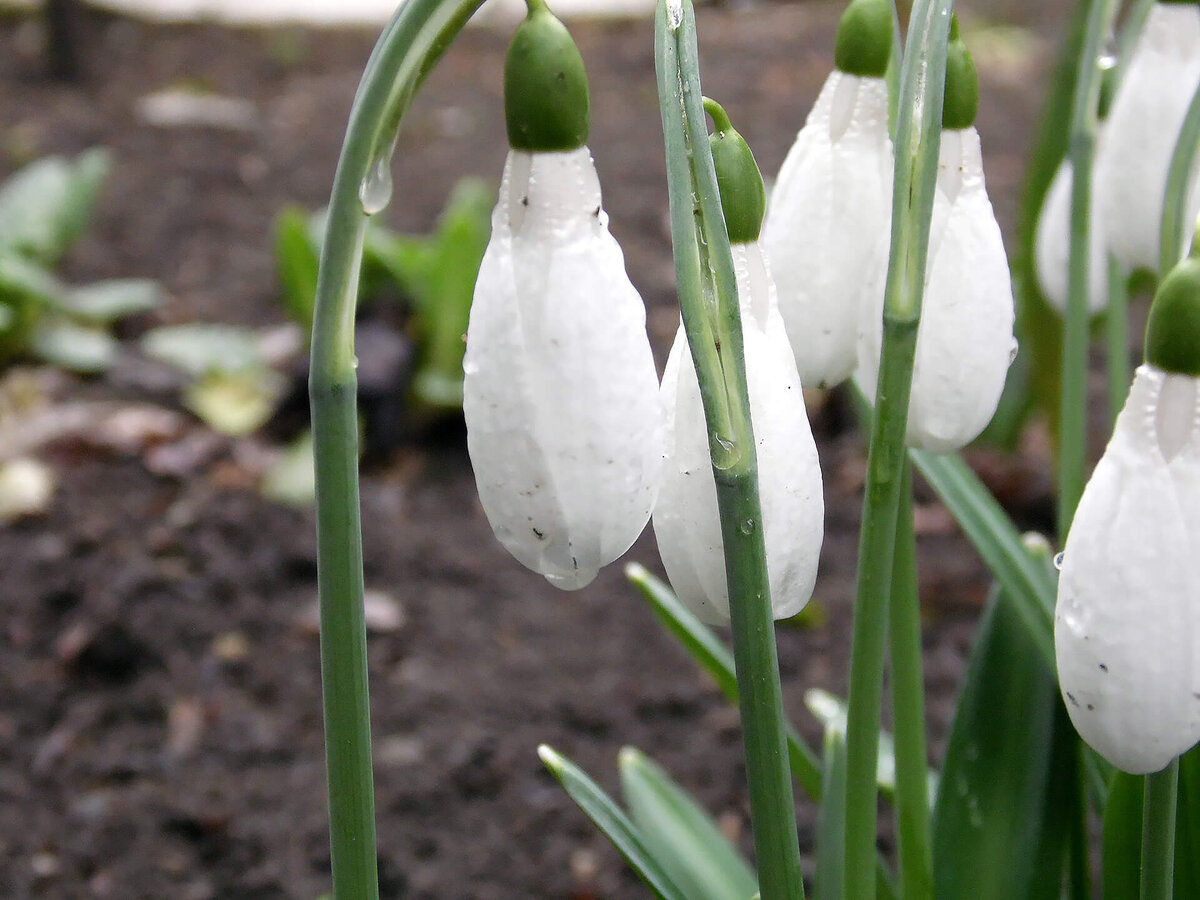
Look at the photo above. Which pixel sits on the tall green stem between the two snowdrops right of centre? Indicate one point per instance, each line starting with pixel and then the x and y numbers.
pixel 919 139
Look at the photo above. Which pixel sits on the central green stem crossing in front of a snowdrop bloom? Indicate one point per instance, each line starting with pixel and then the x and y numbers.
pixel 709 301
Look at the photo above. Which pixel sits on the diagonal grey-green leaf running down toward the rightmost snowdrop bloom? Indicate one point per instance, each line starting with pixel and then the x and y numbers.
pixel 1025 579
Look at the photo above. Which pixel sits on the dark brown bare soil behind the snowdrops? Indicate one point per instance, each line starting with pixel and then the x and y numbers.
pixel 160 709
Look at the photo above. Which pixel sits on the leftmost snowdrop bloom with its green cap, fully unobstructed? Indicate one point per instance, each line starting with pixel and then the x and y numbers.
pixel 560 391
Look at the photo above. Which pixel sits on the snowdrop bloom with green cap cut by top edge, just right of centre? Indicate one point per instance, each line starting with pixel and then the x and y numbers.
pixel 832 202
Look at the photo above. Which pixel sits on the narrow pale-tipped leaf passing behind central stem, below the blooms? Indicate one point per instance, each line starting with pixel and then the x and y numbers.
pixel 716 659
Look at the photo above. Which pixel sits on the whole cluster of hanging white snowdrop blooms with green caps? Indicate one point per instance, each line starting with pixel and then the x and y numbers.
pixel 577 443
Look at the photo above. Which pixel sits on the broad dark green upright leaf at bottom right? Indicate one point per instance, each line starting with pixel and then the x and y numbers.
pixel 991 821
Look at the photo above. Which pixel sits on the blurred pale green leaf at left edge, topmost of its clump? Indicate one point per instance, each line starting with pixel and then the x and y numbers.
pixel 46 206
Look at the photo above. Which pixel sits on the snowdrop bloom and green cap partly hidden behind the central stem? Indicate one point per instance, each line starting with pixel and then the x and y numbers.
pixel 687 523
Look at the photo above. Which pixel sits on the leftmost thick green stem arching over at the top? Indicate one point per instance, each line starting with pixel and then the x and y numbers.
pixel 404 56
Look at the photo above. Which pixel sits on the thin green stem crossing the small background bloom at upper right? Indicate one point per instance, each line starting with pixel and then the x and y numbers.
pixel 1073 412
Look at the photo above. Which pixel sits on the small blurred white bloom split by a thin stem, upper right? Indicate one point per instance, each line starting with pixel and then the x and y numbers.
pixel 1053 241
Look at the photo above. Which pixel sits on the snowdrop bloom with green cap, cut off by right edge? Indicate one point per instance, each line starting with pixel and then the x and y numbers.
pixel 1127 626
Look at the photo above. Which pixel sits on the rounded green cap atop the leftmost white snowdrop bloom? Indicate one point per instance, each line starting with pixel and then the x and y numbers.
pixel 545 86
